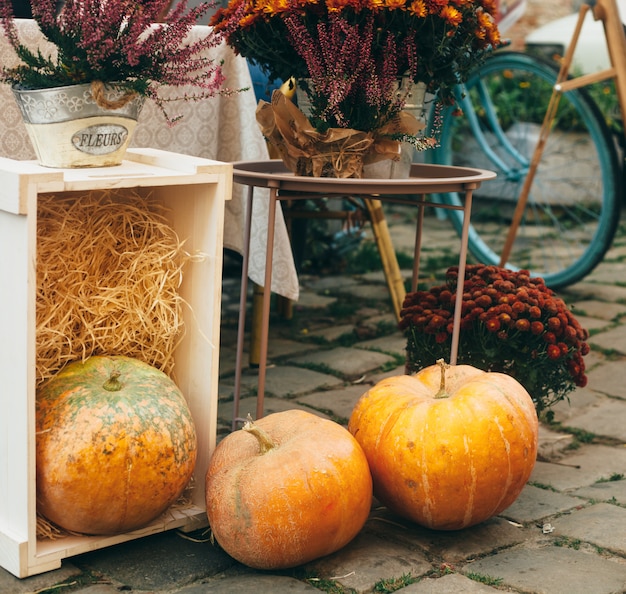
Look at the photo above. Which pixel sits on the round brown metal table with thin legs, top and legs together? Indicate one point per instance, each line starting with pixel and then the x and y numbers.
pixel 284 185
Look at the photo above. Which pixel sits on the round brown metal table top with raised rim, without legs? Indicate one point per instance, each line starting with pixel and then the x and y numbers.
pixel 423 179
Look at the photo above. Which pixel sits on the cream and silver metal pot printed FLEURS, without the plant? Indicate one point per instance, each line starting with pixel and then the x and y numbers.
pixel 86 125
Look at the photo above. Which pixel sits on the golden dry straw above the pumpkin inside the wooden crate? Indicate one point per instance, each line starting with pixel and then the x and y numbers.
pixel 109 267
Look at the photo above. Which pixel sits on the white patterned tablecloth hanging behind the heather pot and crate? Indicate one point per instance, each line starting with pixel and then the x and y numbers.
pixel 223 128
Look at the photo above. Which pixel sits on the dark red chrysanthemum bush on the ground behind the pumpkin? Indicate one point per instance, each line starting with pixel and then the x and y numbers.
pixel 510 322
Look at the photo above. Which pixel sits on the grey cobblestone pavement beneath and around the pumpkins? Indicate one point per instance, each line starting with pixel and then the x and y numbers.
pixel 566 533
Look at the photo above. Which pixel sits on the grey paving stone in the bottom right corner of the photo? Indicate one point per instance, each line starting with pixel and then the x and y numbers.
pixel 553 570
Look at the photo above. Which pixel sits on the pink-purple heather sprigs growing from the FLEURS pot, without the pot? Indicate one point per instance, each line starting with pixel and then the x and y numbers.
pixel 116 42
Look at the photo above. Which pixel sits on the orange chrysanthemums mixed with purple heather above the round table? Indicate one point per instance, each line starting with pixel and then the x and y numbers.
pixel 352 52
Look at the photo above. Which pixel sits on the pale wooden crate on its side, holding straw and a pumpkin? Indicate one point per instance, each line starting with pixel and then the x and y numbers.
pixel 194 191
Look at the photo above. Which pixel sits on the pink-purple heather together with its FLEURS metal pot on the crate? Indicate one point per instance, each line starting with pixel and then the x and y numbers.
pixel 99 61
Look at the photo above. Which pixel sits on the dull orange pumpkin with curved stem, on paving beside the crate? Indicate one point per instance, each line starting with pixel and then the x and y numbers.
pixel 287 489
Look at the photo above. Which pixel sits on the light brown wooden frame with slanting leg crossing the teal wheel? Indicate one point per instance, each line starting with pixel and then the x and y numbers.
pixel 607 12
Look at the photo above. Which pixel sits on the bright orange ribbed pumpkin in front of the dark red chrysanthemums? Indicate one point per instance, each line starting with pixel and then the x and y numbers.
pixel 448 447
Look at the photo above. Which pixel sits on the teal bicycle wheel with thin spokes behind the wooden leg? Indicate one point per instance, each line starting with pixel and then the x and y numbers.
pixel 574 202
